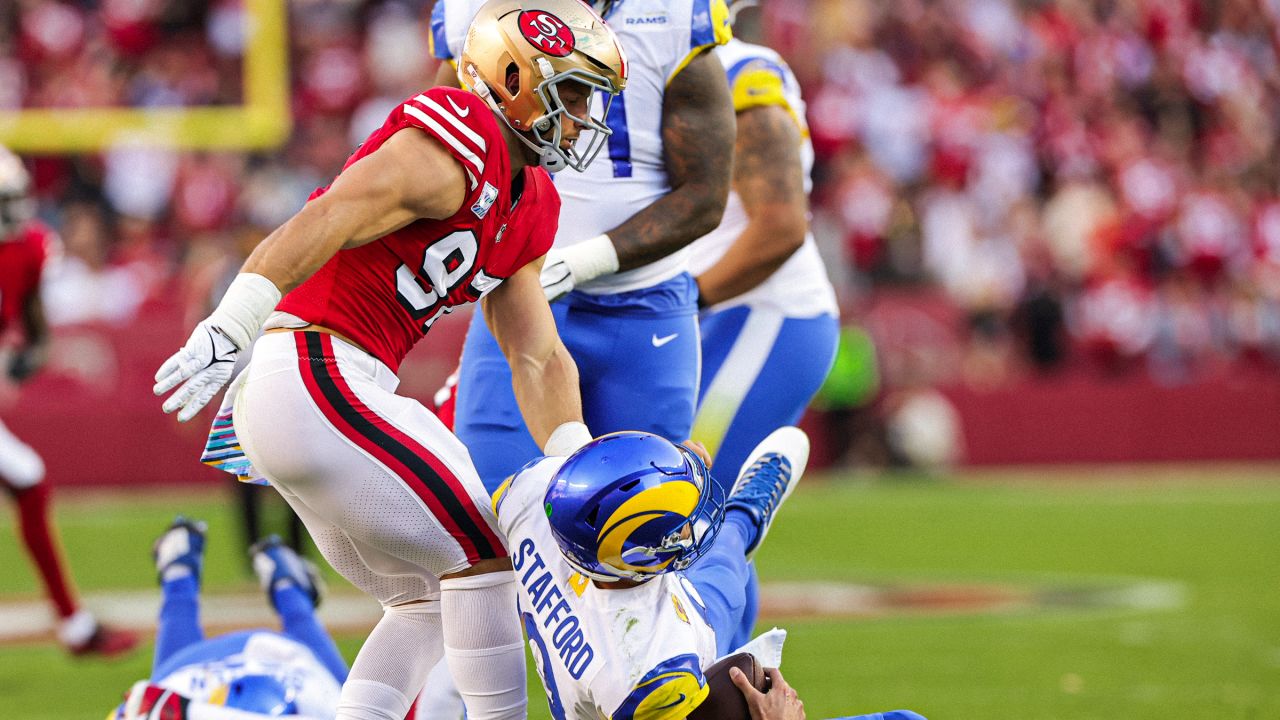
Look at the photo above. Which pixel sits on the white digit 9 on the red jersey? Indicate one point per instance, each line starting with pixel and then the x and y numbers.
pixel 447 263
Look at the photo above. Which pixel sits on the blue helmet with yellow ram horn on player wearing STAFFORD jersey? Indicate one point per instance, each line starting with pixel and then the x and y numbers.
pixel 633 507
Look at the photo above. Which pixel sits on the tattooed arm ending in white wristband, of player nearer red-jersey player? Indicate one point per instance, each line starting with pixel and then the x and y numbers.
pixel 698 147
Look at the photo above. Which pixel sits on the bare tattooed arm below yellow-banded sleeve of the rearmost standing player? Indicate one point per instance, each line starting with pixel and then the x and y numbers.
pixel 769 177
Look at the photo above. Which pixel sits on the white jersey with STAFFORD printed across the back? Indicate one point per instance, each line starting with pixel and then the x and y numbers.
pixel 602 655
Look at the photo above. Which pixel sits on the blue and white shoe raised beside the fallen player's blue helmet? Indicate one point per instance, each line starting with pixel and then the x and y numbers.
pixel 769 477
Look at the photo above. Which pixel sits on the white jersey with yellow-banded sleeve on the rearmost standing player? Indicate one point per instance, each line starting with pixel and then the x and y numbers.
pixel 760 78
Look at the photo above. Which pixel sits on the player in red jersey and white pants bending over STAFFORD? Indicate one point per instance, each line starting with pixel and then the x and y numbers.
pixel 449 203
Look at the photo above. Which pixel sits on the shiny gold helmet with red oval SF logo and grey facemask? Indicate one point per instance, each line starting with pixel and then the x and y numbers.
pixel 519 53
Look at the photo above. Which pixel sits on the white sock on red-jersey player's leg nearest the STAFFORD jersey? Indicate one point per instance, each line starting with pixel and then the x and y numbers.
pixel 483 645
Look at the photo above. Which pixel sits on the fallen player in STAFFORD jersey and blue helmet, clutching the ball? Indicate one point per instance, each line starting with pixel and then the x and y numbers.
pixel 632 567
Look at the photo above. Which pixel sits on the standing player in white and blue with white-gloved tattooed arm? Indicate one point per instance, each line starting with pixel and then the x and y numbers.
pixel 629 315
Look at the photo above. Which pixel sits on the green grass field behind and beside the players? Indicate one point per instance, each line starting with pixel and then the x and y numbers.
pixel 1076 546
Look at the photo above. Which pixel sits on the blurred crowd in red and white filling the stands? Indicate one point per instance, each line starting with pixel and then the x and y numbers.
pixel 1089 181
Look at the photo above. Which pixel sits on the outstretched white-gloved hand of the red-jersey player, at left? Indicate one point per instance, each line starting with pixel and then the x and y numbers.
pixel 205 363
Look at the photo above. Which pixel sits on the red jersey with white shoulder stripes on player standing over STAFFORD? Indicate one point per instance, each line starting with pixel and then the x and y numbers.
pixel 387 294
